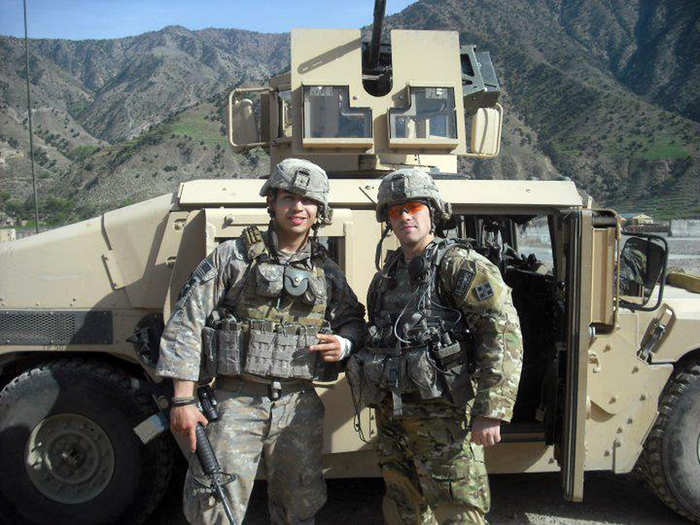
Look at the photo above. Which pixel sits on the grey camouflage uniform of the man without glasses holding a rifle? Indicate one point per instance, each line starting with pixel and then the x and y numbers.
pixel 287 432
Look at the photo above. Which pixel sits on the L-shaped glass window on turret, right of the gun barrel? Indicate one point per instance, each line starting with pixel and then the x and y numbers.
pixel 430 114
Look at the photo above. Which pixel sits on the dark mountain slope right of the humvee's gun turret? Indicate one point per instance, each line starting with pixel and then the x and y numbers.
pixel 572 73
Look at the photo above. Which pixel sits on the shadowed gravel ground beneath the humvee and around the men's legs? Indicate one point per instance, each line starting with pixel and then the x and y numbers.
pixel 517 498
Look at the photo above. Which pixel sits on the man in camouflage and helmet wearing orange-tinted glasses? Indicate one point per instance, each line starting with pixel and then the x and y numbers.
pixel 442 362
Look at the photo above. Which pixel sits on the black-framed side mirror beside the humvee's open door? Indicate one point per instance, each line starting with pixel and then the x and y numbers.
pixel 642 266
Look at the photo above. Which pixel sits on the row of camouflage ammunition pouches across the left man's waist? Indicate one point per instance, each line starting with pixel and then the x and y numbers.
pixel 266 349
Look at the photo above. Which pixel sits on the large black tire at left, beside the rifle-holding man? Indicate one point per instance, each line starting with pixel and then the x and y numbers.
pixel 68 452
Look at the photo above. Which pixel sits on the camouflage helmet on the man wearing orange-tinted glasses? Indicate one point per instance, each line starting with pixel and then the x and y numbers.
pixel 408 184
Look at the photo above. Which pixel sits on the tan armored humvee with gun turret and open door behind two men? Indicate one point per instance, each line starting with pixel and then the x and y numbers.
pixel 611 375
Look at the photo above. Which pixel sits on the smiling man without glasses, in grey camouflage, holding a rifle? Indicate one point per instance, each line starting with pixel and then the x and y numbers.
pixel 265 314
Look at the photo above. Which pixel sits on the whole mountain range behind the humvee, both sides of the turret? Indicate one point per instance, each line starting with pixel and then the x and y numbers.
pixel 603 92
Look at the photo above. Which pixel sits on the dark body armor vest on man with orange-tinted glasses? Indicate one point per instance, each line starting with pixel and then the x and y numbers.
pixel 418 344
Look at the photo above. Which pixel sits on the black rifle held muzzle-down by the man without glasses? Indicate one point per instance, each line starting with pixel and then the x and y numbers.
pixel 158 423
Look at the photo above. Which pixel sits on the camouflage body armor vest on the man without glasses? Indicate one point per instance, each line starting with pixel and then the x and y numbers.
pixel 272 316
